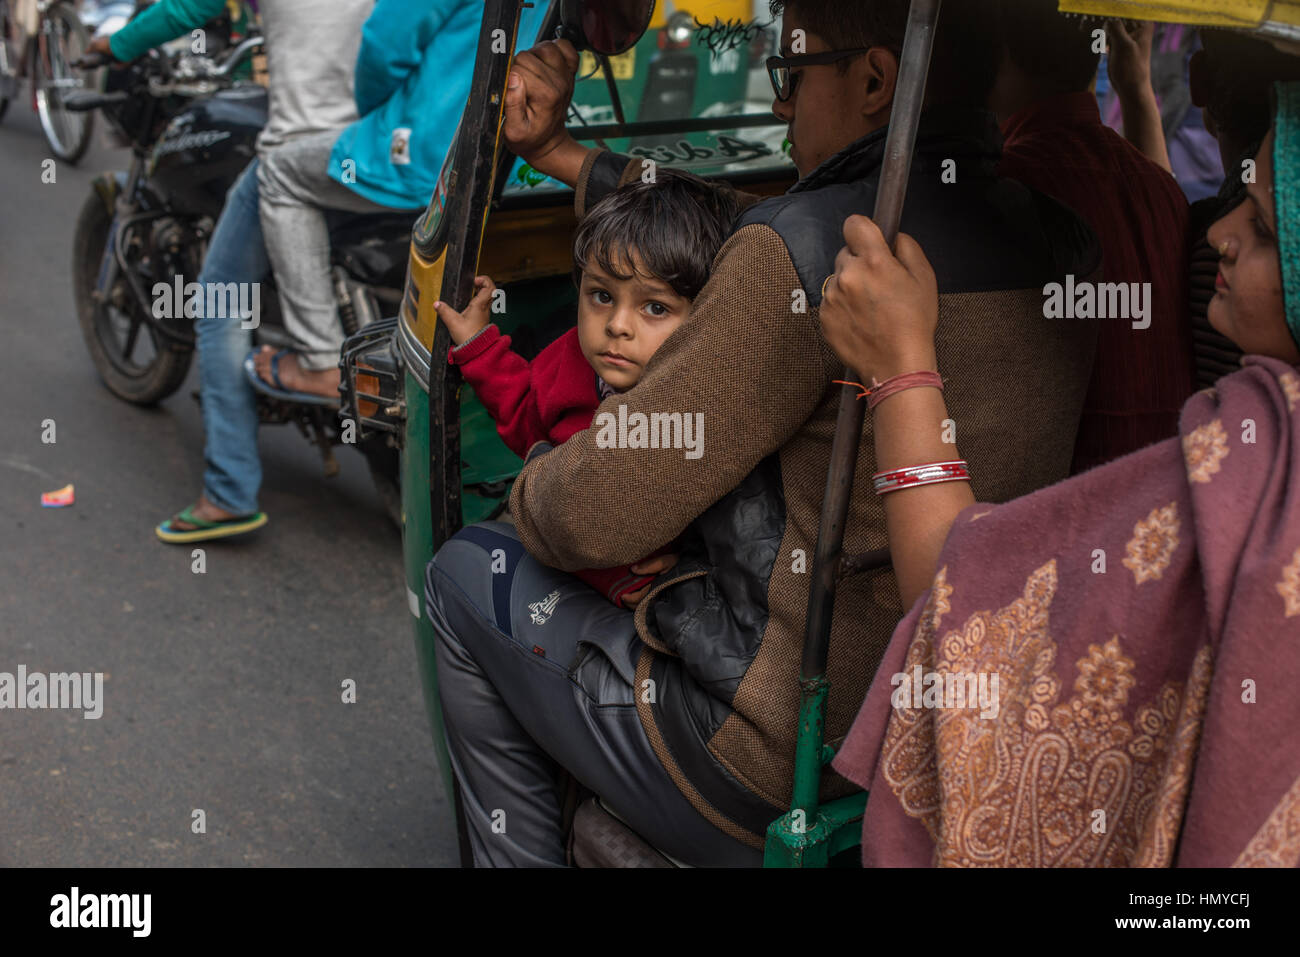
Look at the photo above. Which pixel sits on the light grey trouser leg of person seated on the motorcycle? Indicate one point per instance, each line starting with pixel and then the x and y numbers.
pixel 296 190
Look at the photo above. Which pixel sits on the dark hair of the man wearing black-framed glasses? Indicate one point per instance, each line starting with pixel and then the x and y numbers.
pixel 964 64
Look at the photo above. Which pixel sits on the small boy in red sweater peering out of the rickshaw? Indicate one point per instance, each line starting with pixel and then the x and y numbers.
pixel 640 258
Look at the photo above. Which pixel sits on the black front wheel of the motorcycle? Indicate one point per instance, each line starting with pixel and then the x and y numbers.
pixel 112 336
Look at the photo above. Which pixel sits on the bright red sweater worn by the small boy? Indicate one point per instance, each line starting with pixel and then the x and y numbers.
pixel 548 400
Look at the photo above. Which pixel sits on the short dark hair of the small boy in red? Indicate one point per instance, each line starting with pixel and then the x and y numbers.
pixel 675 226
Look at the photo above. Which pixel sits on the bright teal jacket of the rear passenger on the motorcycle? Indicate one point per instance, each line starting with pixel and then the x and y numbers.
pixel 413 81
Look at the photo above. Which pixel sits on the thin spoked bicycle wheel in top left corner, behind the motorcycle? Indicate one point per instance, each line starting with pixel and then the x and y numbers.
pixel 62 40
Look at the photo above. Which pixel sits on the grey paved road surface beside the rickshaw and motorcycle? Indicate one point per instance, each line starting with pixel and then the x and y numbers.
pixel 222 691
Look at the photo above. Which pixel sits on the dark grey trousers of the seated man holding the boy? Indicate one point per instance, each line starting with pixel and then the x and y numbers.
pixel 536 674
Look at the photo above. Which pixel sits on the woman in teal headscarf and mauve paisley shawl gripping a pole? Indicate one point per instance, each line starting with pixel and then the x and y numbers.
pixel 1103 673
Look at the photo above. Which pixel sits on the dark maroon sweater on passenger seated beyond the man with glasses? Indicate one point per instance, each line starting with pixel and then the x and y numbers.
pixel 1142 378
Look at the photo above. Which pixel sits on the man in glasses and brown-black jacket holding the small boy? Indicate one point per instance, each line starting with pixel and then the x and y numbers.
pixel 682 714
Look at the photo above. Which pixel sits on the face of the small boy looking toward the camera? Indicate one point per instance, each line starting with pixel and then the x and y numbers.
pixel 621 323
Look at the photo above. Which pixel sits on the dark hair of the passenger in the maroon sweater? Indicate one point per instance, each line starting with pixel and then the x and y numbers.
pixel 1050 47
